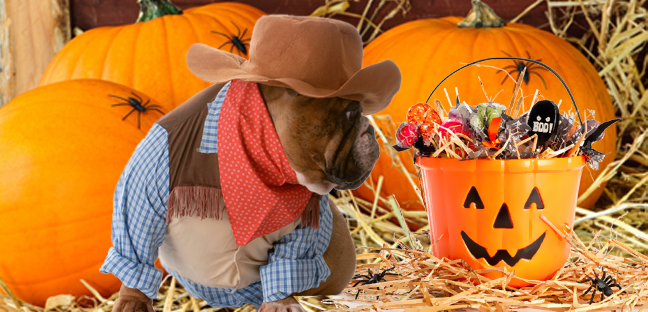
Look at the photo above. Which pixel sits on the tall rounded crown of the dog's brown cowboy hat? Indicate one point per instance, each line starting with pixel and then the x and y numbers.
pixel 322 52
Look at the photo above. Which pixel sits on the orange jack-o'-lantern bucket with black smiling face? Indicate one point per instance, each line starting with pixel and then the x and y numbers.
pixel 487 212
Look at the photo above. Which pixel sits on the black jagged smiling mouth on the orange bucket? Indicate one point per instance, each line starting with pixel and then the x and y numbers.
pixel 478 251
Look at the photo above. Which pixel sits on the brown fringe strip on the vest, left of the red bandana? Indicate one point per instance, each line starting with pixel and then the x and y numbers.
pixel 198 201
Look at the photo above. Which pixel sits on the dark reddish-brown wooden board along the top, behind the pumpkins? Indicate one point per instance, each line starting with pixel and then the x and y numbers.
pixel 88 14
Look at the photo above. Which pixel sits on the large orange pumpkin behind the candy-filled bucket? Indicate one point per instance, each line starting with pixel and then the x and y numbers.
pixel 428 50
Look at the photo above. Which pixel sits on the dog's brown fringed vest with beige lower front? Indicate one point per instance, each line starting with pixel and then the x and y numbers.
pixel 199 244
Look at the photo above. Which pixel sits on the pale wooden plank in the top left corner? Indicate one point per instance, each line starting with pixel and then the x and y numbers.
pixel 31 32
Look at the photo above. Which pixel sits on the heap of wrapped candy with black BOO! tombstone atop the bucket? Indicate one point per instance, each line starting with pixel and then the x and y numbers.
pixel 489 133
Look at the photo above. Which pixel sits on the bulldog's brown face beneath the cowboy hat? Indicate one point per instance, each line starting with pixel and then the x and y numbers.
pixel 327 141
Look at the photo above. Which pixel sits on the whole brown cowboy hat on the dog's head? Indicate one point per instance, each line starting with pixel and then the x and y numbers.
pixel 315 56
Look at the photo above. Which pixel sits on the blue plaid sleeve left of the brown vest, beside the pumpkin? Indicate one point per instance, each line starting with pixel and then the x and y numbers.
pixel 139 215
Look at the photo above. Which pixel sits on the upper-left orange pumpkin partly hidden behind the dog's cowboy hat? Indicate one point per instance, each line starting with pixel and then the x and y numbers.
pixel 150 55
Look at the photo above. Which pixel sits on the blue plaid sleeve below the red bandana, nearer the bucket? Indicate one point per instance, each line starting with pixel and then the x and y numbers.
pixel 296 262
